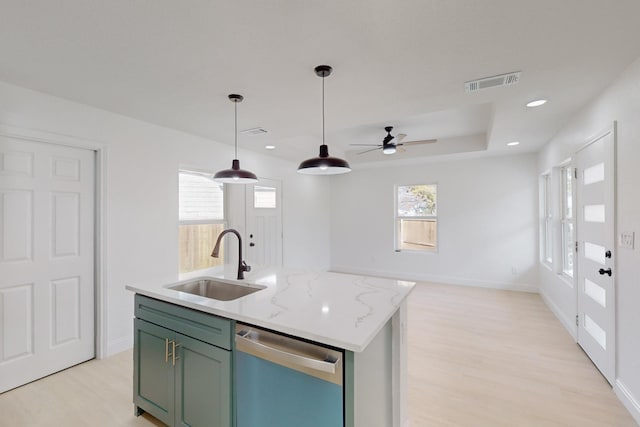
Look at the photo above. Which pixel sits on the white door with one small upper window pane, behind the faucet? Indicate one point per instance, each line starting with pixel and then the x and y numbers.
pixel 264 222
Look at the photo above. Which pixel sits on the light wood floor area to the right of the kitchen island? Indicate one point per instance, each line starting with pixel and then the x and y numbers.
pixel 484 357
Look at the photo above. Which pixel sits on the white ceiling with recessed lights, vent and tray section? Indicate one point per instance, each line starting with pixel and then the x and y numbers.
pixel 396 62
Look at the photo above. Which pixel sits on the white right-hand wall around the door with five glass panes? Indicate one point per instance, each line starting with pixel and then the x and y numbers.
pixel 621 102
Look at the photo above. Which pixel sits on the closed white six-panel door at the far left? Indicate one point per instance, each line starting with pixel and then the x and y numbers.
pixel 46 259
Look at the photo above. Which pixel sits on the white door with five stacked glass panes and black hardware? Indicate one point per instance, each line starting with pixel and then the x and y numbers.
pixel 596 244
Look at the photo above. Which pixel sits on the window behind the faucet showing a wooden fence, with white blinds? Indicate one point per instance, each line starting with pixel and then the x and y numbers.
pixel 201 219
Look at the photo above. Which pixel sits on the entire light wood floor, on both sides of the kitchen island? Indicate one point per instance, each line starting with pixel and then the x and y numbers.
pixel 477 357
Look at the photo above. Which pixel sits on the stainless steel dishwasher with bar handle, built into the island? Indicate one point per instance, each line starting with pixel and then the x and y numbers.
pixel 285 382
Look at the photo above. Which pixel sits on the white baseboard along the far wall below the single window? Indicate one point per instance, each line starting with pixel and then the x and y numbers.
pixel 449 280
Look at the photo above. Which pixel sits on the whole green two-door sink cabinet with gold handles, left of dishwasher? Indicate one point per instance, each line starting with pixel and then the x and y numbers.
pixel 182 365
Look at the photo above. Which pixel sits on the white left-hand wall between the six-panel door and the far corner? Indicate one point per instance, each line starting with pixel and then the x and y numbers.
pixel 142 162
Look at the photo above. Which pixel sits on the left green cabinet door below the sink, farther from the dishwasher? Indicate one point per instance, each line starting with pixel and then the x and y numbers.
pixel 153 372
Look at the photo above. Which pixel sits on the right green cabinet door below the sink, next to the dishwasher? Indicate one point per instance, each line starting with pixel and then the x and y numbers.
pixel 203 384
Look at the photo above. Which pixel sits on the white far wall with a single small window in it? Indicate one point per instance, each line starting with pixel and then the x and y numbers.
pixel 487 215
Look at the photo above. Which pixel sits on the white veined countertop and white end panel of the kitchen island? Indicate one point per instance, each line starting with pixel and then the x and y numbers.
pixel 364 317
